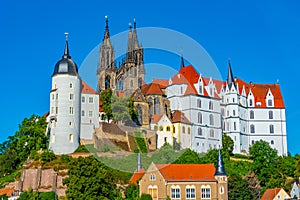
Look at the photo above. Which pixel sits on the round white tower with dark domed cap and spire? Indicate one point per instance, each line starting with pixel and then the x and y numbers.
pixel 65 106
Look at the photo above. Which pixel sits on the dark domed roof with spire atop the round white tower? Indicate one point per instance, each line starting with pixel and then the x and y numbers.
pixel 66 65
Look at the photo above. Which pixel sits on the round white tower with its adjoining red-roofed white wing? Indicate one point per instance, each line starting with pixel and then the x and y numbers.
pixel 74 107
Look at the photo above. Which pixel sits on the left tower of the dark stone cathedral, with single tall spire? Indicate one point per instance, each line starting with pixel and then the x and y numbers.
pixel 106 66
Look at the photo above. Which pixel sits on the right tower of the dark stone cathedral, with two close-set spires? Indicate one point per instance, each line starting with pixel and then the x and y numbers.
pixel 134 63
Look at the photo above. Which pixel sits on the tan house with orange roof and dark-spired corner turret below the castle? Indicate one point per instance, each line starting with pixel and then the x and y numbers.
pixel 183 181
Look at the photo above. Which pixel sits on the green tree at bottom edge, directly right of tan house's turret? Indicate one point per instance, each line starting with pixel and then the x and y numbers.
pixel 238 188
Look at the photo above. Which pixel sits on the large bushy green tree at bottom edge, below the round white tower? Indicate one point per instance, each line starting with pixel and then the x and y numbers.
pixel 90 179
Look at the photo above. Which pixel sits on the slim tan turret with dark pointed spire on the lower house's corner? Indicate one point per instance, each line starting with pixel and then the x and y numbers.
pixel 221 176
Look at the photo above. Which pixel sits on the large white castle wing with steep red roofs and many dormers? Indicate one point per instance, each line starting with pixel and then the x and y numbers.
pixel 246 112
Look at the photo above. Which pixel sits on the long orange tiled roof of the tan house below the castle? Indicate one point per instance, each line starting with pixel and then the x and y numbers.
pixel 187 172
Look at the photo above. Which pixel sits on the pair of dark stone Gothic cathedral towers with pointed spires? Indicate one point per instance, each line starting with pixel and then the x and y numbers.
pixel 129 75
